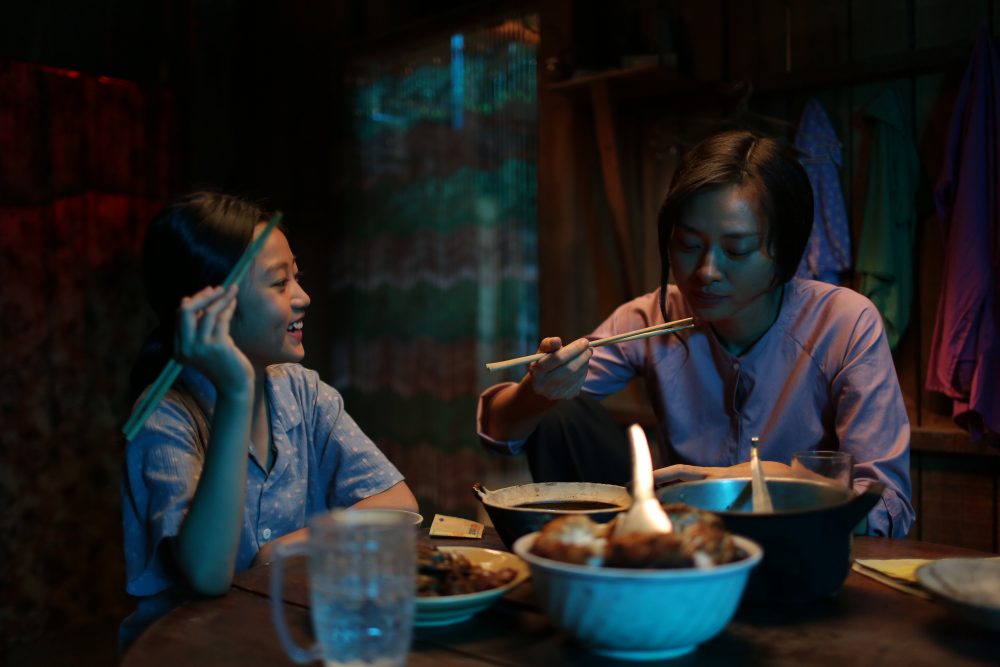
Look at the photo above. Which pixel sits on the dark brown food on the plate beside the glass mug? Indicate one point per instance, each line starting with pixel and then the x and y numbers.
pixel 440 573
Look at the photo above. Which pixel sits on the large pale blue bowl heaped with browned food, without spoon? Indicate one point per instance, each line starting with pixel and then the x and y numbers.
pixel 639 596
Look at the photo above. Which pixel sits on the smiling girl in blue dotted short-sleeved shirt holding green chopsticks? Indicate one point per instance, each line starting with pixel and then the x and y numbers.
pixel 248 444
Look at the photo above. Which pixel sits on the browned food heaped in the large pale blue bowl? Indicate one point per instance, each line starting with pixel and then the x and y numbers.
pixel 699 539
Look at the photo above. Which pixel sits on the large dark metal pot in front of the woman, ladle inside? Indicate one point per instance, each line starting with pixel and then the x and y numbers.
pixel 807 540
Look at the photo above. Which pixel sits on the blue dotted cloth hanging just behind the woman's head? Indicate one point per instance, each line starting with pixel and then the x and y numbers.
pixel 828 253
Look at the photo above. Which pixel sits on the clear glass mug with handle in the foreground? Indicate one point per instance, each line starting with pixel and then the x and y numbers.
pixel 362 583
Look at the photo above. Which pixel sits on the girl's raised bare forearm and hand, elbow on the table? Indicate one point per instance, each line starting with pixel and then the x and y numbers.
pixel 209 537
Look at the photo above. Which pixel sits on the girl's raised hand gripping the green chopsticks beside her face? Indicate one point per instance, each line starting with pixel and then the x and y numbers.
pixel 202 338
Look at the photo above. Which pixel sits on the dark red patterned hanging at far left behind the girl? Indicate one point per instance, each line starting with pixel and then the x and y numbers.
pixel 85 161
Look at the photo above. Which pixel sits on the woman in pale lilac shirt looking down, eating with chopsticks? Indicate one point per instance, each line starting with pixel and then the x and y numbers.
pixel 800 364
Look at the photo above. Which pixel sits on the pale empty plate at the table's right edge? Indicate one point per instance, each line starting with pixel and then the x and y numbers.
pixel 970 586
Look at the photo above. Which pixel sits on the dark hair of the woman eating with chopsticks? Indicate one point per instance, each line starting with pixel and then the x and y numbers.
pixel 767 168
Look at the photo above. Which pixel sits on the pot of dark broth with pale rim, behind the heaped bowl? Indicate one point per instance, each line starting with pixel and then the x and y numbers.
pixel 511 519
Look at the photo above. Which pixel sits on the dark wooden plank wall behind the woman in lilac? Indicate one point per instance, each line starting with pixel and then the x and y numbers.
pixel 610 136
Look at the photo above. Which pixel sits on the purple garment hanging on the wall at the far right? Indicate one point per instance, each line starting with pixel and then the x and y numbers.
pixel 965 356
